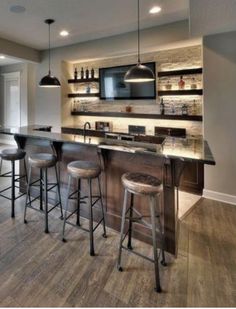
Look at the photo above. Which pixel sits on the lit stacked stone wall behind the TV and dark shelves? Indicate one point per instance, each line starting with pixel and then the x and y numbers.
pixel 174 59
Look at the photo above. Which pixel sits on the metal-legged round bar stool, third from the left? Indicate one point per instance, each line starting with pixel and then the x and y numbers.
pixel 84 170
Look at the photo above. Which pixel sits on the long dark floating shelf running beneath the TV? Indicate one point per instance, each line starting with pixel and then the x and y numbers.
pixel 135 115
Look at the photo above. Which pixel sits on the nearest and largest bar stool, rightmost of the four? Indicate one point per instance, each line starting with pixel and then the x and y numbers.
pixel 151 187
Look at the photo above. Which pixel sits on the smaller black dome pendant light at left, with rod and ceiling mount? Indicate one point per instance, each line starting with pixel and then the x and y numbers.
pixel 49 81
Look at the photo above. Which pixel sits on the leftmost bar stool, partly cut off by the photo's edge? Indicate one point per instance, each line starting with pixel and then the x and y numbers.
pixel 12 155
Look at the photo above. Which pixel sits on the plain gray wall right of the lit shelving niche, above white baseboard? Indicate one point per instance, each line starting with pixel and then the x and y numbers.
pixel 219 62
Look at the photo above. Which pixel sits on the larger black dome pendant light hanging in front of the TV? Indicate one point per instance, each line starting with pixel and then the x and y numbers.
pixel 139 73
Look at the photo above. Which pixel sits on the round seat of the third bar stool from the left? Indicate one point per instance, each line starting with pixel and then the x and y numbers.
pixel 83 169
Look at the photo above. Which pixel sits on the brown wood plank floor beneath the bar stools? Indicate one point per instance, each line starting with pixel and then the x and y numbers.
pixel 39 270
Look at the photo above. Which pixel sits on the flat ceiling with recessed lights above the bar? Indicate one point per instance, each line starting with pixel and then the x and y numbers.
pixel 84 19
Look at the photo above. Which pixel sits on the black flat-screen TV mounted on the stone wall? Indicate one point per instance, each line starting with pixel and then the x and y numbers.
pixel 113 86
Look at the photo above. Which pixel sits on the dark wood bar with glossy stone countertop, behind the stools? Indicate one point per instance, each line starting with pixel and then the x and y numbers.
pixel 165 161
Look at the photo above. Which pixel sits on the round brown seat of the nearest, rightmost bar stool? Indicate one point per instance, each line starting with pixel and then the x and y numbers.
pixel 142 183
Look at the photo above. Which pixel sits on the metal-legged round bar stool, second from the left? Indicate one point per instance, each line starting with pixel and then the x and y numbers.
pixel 43 161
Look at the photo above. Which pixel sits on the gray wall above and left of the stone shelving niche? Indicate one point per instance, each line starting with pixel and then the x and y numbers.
pixel 48 101
